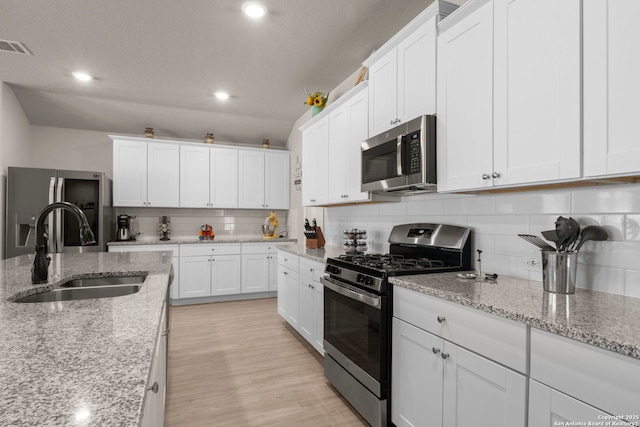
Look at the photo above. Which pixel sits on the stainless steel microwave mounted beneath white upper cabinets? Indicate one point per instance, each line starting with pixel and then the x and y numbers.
pixel 402 158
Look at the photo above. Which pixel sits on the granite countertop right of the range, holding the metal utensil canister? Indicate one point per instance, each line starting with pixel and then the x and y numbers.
pixel 604 320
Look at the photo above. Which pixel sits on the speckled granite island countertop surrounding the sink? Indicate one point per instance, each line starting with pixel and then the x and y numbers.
pixel 79 363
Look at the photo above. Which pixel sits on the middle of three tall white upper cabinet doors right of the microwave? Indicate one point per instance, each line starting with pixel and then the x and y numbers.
pixel 537 90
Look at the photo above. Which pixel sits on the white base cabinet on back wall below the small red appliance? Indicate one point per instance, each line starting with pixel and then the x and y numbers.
pixel 209 269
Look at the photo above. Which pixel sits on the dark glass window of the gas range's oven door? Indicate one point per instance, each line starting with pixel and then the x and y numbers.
pixel 357 330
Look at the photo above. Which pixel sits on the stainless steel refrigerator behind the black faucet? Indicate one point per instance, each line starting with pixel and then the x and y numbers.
pixel 29 190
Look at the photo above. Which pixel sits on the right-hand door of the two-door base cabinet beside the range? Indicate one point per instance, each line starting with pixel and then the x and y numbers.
pixel 480 392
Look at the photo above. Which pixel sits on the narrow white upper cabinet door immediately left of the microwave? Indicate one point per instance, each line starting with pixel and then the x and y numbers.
pixel 357 131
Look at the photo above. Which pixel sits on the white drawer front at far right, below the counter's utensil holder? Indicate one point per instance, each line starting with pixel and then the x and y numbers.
pixel 607 380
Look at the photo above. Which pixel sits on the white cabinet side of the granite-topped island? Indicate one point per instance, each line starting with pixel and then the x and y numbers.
pixel 154 401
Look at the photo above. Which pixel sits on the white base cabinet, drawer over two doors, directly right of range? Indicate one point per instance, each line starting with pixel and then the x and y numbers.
pixel 437 382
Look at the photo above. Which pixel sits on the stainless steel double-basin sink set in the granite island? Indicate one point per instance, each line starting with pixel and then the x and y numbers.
pixel 90 288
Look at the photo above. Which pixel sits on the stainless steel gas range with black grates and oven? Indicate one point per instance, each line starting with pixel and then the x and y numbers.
pixel 358 305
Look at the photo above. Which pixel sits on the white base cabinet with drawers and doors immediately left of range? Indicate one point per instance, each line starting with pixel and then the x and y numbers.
pixel 301 296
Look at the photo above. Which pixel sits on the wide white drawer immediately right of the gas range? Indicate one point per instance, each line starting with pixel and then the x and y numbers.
pixel 502 340
